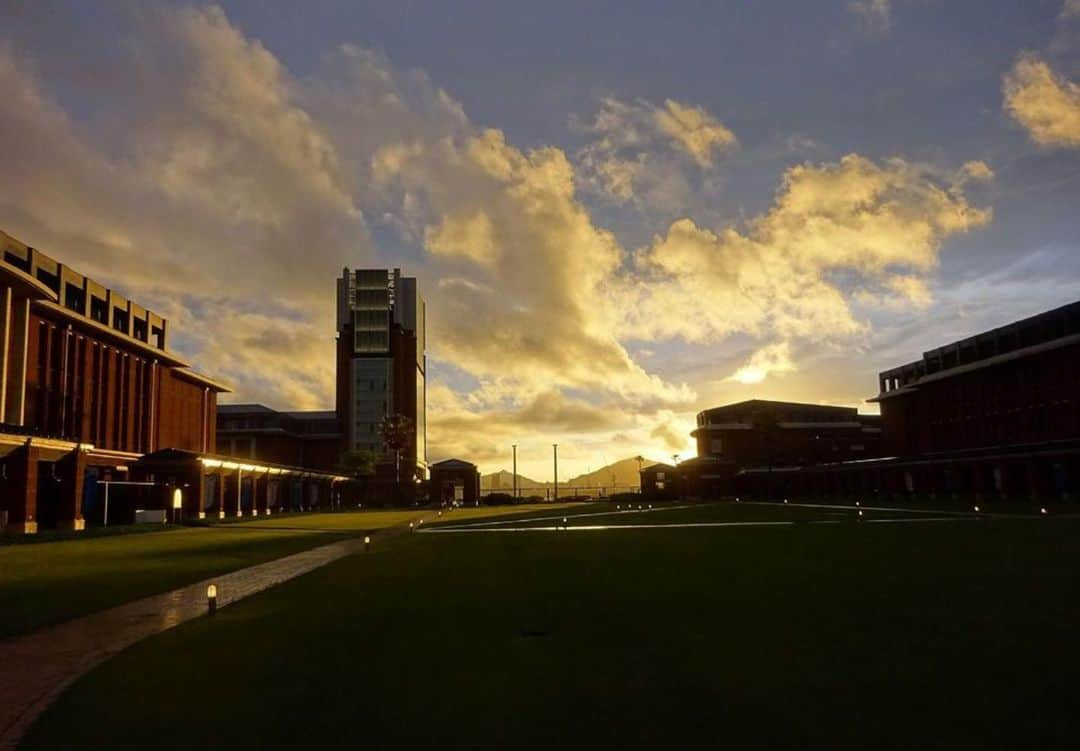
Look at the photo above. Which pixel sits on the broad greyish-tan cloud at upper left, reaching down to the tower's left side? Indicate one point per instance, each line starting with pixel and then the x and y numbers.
pixel 196 202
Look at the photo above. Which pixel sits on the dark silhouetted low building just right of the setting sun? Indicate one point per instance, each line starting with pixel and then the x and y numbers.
pixel 773 435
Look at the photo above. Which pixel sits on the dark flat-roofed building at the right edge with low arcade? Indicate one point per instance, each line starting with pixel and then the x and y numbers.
pixel 992 417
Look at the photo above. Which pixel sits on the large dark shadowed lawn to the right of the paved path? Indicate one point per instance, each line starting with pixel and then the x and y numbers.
pixel 828 632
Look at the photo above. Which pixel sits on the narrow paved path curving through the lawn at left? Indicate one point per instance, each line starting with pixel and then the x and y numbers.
pixel 37 667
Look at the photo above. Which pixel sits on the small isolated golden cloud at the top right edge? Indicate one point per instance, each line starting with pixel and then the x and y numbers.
pixel 1046 104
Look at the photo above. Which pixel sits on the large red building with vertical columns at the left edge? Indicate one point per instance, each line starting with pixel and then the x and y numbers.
pixel 88 385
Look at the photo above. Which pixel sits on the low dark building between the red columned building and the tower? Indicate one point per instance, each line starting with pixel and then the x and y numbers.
pixel 312 440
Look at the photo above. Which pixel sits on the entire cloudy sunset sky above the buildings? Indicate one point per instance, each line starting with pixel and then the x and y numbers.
pixel 620 213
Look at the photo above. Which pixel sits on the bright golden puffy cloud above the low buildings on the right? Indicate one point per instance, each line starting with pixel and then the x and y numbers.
pixel 836 234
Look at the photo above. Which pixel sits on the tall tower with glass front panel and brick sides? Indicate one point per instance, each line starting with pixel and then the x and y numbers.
pixel 382 361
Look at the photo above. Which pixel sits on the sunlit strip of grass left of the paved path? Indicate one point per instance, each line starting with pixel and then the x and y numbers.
pixel 44 583
